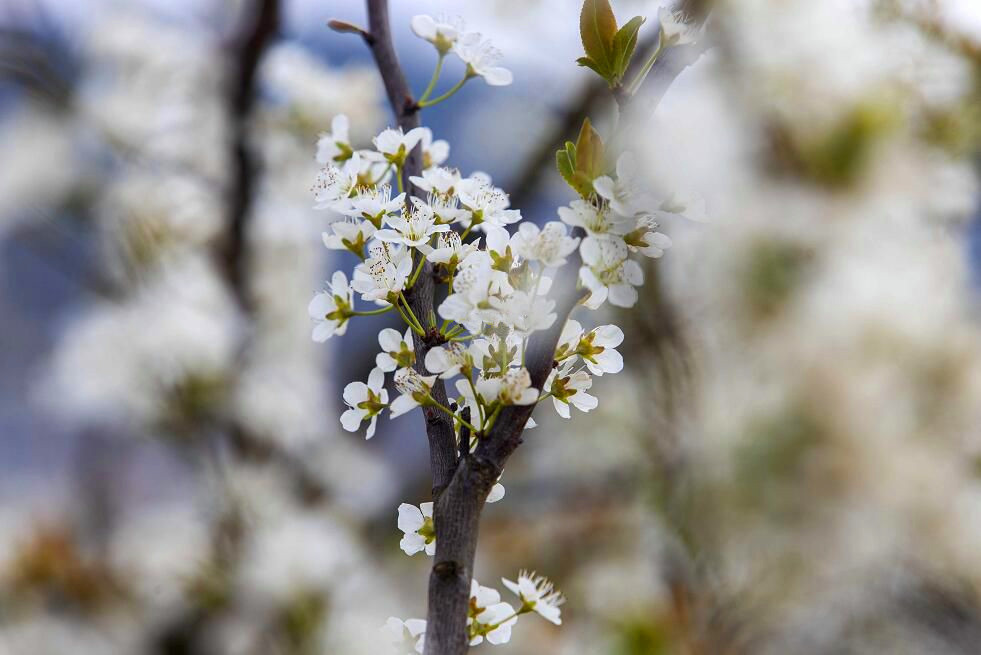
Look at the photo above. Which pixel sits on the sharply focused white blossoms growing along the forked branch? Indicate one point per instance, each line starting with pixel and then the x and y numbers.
pixel 495 271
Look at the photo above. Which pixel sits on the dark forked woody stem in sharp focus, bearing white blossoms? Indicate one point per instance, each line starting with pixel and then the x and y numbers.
pixel 461 481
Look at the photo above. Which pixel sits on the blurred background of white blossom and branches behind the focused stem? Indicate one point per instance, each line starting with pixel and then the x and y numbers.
pixel 790 462
